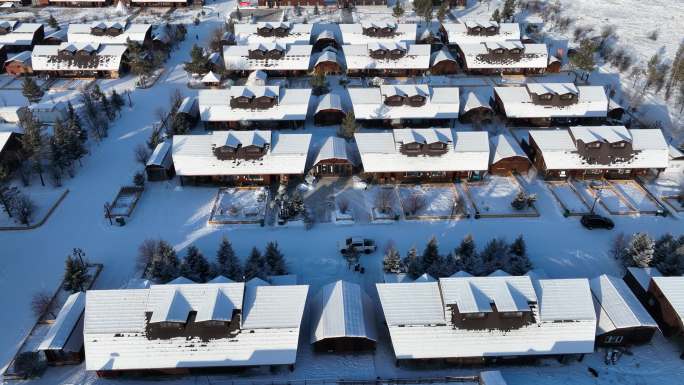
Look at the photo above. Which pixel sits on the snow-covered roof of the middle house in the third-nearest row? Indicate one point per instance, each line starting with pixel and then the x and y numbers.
pixel 441 102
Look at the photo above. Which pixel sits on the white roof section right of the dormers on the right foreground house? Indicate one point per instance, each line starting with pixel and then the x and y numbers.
pixel 566 300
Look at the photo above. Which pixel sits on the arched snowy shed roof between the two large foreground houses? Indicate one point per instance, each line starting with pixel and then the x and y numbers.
pixel 342 309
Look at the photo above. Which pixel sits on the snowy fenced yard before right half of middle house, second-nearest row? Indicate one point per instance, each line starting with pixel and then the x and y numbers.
pixel 431 201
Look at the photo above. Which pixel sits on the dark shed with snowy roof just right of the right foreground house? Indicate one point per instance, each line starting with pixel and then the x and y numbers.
pixel 622 320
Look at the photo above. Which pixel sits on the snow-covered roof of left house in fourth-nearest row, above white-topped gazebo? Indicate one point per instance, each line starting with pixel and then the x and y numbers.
pixel 296 57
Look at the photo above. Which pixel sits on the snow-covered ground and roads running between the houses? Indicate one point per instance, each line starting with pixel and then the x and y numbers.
pixel 33 260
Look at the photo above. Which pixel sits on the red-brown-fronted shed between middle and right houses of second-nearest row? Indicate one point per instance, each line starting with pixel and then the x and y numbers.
pixel 506 156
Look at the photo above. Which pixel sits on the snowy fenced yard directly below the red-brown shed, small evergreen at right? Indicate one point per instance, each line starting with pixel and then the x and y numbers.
pixel 494 195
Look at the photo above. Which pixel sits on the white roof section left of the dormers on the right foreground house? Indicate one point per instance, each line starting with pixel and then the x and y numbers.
pixel 411 303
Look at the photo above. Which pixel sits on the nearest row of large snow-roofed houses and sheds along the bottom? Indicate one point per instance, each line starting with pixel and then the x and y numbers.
pixel 186 327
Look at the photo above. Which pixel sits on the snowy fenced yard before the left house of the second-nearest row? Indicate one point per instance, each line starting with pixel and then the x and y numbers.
pixel 240 205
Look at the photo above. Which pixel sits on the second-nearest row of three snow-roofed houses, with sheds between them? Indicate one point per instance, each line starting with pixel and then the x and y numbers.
pixel 409 155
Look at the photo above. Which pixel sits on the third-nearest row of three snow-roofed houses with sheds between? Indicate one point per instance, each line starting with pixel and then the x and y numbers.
pixel 410 105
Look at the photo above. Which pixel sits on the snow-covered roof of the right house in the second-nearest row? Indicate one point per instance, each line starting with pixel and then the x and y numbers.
pixel 560 152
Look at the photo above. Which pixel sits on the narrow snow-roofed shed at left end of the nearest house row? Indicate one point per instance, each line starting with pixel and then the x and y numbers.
pixel 63 343
